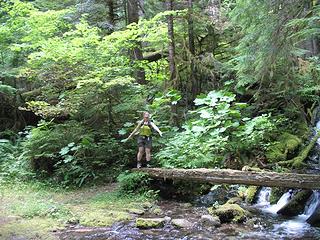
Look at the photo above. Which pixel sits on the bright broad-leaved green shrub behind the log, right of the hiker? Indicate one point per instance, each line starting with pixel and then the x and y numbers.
pixel 218 128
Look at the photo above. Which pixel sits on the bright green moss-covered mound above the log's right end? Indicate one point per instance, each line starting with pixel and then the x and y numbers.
pixel 287 143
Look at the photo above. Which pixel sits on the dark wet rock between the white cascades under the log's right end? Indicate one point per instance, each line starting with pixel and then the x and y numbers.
pixel 296 205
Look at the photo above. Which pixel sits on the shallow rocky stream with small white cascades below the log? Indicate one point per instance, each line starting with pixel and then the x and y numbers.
pixel 263 224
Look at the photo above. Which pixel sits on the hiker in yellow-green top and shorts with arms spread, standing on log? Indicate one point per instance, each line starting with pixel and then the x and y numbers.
pixel 144 129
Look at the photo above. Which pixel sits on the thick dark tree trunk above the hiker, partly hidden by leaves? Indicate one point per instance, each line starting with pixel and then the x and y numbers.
pixel 133 17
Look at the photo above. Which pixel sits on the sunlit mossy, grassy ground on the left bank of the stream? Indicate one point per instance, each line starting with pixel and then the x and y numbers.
pixel 35 211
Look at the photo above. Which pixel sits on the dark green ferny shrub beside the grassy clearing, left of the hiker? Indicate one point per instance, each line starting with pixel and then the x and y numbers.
pixel 73 154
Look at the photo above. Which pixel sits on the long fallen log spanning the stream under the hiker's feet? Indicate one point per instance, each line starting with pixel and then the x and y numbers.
pixel 229 176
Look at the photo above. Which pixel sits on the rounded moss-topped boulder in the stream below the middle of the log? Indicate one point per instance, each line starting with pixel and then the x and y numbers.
pixel 228 213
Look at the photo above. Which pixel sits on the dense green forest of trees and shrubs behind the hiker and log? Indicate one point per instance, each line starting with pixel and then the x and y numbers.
pixel 229 82
